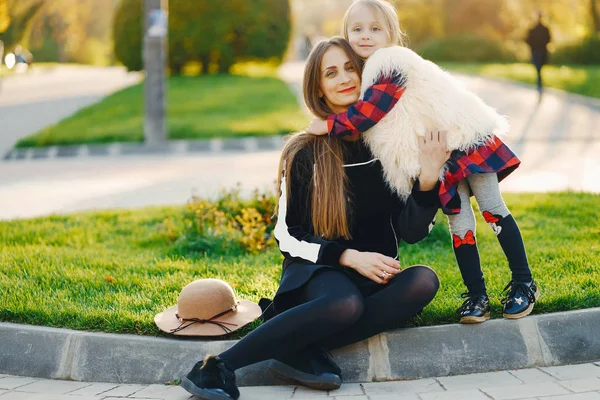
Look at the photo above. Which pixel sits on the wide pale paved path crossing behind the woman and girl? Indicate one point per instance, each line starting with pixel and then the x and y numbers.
pixel 557 139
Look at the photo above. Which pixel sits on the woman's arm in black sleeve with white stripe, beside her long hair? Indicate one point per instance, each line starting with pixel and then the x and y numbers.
pixel 293 229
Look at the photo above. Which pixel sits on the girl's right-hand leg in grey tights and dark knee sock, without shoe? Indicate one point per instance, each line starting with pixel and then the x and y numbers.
pixel 487 193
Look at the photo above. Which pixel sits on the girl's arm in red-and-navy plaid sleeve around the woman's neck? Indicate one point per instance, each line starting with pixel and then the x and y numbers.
pixel 378 101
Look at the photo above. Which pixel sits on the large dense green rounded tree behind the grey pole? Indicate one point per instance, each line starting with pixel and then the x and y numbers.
pixel 215 34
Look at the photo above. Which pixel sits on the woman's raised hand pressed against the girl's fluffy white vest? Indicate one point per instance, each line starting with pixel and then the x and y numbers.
pixel 433 156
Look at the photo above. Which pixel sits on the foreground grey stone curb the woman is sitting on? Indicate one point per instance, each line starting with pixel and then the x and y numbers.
pixel 540 340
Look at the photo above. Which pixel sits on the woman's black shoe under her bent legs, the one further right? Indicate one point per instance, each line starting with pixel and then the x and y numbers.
pixel 312 367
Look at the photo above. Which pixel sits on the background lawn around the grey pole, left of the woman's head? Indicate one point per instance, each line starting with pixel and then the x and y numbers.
pixel 198 108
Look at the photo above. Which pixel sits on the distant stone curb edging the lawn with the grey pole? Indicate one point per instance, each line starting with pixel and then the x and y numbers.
pixel 245 144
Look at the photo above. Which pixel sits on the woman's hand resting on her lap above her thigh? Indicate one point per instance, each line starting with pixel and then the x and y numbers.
pixel 375 266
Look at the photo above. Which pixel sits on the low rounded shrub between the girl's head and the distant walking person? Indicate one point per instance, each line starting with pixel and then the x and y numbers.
pixel 465 48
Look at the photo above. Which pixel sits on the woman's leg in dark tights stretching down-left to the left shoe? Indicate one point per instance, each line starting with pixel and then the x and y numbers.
pixel 332 304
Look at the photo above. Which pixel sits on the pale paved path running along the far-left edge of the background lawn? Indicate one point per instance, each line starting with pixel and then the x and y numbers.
pixel 39 98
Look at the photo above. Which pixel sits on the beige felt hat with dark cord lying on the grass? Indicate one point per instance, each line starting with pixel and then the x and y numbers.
pixel 207 307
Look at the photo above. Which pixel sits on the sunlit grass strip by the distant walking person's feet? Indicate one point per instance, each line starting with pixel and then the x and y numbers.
pixel 584 80
